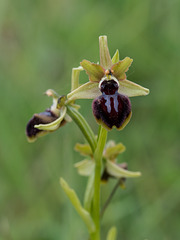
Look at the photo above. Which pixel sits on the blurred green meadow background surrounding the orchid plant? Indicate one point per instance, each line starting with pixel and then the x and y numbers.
pixel 40 42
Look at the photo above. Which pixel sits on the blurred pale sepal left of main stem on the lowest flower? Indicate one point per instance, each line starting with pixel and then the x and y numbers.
pixel 85 167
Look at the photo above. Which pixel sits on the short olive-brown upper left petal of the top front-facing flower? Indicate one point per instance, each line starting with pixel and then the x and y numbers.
pixel 94 71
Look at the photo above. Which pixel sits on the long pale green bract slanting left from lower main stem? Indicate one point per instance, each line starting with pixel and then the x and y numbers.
pixel 86 217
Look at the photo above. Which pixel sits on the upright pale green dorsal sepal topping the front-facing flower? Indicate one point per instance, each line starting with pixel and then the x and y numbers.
pixel 105 58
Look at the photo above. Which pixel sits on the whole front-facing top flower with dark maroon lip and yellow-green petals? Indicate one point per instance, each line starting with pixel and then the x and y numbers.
pixel 109 87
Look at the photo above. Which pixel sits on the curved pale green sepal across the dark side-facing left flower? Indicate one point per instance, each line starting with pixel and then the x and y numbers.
pixel 53 125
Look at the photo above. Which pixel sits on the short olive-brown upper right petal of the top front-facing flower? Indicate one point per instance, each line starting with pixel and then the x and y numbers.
pixel 121 67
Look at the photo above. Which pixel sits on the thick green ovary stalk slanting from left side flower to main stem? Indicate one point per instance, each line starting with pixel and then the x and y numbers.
pixel 83 125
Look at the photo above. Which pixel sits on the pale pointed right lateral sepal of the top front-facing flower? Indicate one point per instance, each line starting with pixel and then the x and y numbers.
pixel 132 89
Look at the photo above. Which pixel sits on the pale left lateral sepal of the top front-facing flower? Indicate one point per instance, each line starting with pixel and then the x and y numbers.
pixel 89 90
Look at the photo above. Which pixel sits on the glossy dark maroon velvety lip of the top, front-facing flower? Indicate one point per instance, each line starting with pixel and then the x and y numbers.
pixel 111 109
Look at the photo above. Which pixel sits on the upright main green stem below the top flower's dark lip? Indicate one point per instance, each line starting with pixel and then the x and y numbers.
pixel 97 180
